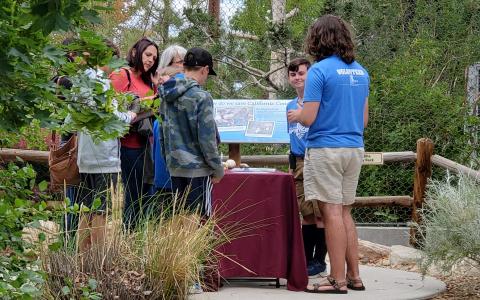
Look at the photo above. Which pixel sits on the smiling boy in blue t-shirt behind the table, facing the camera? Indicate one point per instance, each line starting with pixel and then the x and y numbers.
pixel 313 237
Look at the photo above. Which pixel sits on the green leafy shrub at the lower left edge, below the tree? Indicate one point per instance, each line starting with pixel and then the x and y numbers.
pixel 20 275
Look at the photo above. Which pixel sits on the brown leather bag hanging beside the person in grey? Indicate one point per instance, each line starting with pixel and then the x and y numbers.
pixel 62 163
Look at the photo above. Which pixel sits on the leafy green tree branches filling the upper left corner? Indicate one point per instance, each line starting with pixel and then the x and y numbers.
pixel 28 60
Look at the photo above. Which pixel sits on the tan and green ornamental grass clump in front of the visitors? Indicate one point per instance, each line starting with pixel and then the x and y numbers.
pixel 161 259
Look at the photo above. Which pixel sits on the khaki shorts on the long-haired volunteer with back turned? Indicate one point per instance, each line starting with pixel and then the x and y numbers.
pixel 331 174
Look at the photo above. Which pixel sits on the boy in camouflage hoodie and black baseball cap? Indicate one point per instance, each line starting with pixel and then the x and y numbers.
pixel 189 132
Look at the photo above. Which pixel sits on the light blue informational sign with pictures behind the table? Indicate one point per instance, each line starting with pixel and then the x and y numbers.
pixel 252 121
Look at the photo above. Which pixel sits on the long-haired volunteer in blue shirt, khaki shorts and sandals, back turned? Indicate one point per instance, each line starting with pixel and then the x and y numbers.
pixel 336 110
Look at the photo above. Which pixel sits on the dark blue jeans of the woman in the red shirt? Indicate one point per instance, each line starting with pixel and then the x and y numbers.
pixel 137 193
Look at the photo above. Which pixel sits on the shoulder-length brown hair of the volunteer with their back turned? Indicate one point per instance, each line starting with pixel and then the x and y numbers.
pixel 330 35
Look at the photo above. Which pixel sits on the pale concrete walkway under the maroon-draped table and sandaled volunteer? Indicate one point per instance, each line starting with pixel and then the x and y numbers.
pixel 381 283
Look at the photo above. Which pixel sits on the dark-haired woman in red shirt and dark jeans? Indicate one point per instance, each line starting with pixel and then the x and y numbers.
pixel 135 151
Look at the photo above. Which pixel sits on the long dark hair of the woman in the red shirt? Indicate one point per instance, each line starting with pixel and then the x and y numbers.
pixel 134 59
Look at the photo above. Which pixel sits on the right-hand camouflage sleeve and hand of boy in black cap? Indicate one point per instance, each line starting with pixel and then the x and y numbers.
pixel 206 132
